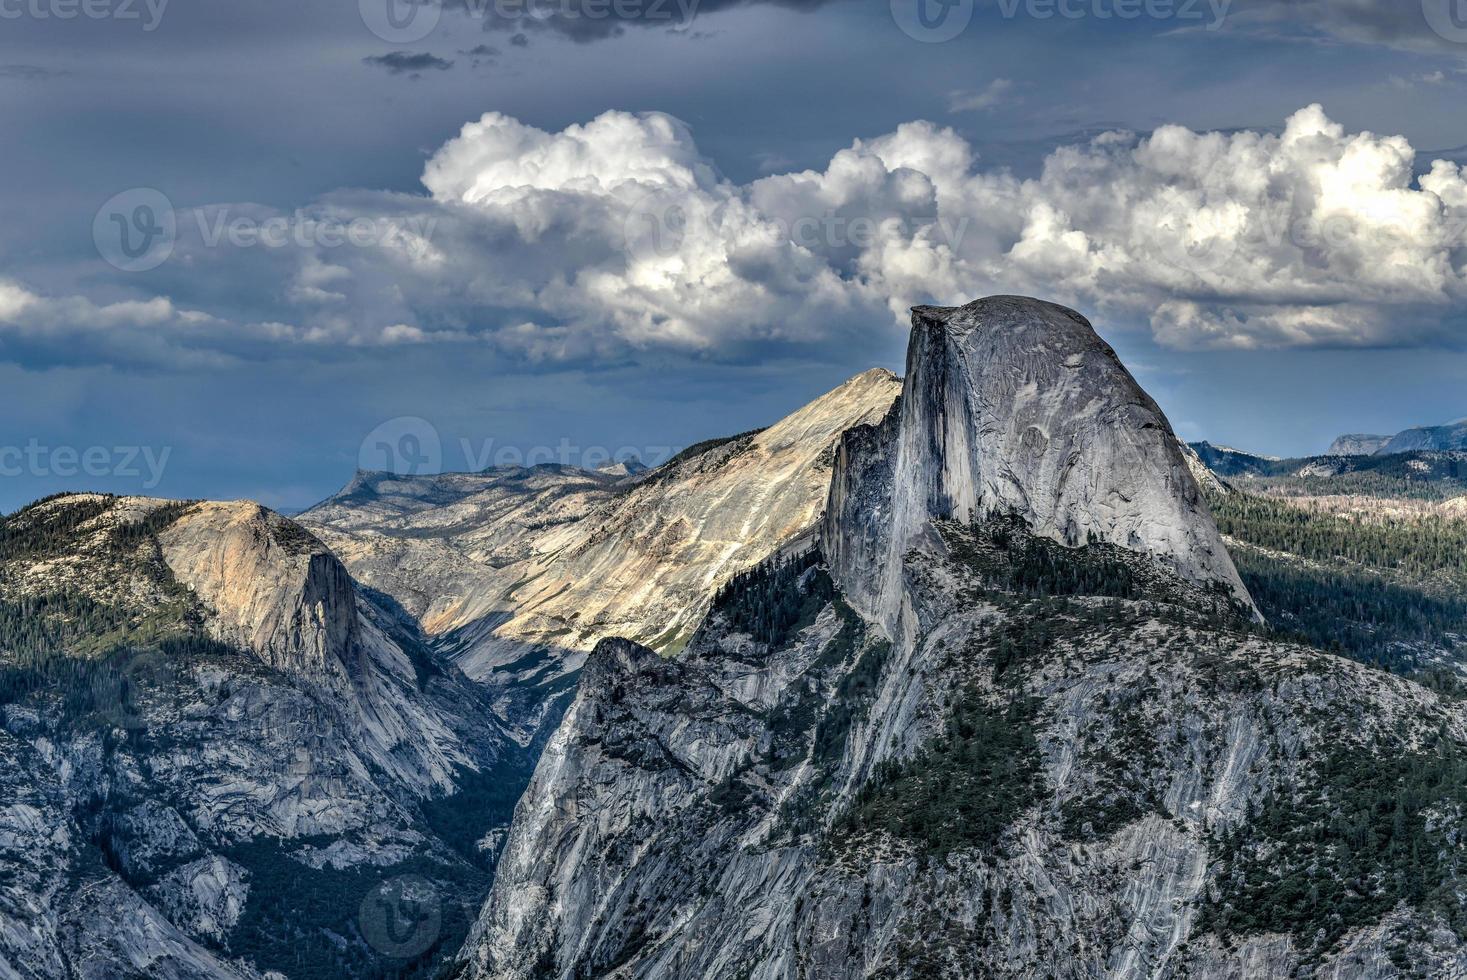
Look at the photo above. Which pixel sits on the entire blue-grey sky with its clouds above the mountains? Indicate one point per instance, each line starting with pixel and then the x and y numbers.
pixel 590 235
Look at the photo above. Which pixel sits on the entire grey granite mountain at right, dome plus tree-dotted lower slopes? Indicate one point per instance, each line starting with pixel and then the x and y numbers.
pixel 982 752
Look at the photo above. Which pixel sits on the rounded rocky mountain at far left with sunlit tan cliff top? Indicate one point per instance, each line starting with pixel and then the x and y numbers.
pixel 205 731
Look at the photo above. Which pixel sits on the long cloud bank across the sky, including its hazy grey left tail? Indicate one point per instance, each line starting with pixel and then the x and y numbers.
pixel 621 235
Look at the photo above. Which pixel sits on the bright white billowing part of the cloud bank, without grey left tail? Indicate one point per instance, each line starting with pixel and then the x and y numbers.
pixel 1309 237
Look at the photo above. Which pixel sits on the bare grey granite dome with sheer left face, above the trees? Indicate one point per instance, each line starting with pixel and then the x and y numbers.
pixel 1017 406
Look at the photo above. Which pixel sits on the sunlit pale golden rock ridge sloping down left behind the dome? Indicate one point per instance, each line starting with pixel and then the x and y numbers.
pixel 517 574
